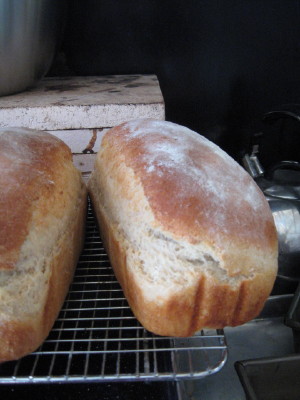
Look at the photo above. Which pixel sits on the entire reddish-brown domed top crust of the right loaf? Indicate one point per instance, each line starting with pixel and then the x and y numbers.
pixel 196 191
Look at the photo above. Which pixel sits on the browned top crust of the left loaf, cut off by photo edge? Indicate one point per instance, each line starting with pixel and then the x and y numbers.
pixel 28 163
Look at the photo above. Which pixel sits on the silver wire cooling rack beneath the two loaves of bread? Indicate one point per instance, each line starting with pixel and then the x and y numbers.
pixel 97 338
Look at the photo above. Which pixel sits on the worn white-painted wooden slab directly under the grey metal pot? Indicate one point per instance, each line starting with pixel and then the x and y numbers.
pixel 84 102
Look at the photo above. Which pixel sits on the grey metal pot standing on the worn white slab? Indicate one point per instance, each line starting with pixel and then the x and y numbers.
pixel 30 31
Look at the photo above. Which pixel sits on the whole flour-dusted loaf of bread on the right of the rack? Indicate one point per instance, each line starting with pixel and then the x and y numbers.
pixel 189 234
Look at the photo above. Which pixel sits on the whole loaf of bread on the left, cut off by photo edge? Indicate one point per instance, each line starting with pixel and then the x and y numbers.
pixel 42 216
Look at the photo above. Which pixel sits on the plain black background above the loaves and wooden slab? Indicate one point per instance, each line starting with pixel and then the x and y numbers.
pixel 221 64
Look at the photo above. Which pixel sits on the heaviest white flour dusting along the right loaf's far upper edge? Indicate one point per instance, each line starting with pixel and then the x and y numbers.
pixel 175 150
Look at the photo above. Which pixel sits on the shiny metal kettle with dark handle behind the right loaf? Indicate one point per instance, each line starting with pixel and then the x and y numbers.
pixel 280 183
